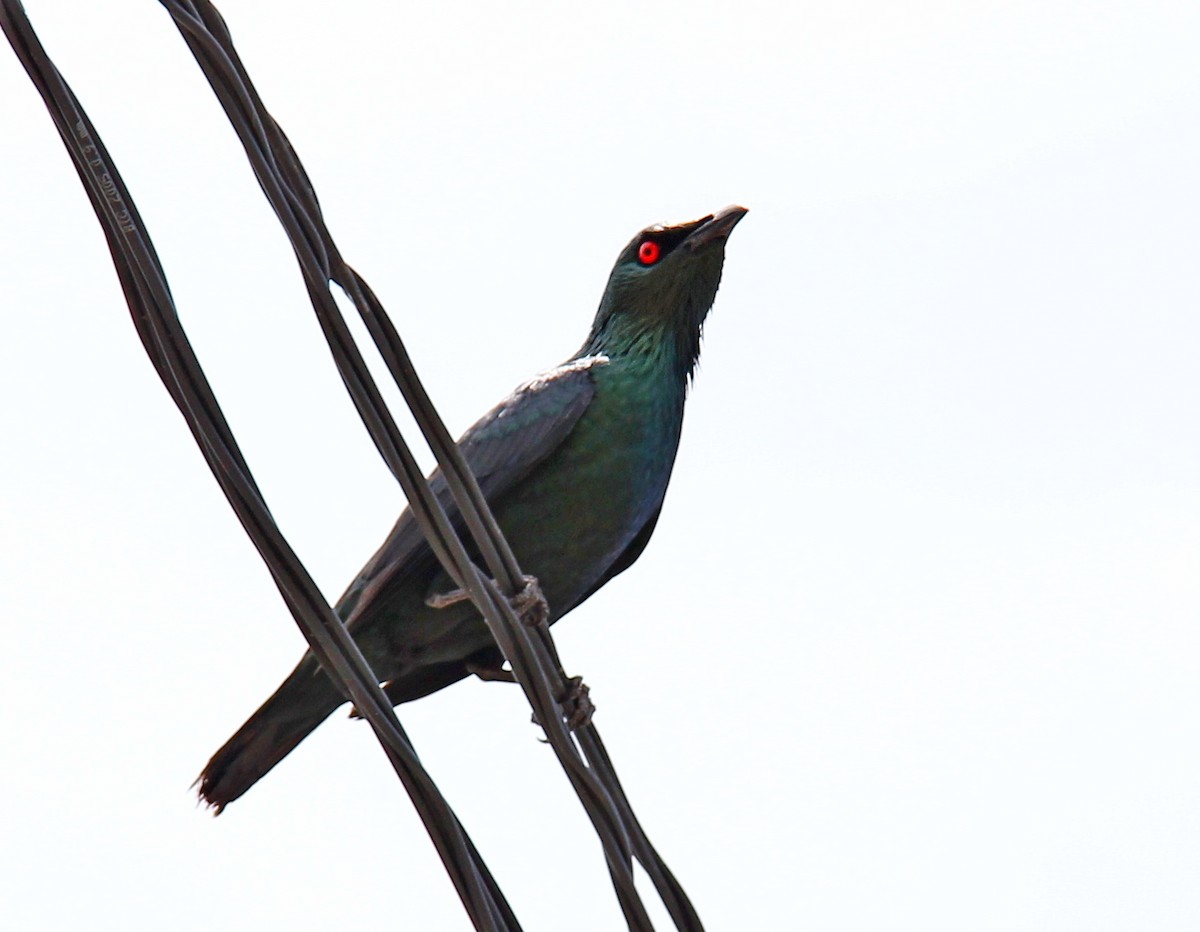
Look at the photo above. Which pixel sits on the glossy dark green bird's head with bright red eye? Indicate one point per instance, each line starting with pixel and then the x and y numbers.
pixel 663 288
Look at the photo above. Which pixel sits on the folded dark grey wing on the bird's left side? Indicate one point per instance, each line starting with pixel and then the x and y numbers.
pixel 501 449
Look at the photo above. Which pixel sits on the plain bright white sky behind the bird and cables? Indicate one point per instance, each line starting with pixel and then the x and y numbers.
pixel 916 645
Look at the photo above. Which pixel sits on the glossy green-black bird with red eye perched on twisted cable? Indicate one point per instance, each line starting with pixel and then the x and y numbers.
pixel 574 464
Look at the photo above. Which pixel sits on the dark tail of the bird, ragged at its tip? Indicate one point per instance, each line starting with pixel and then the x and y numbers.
pixel 303 702
